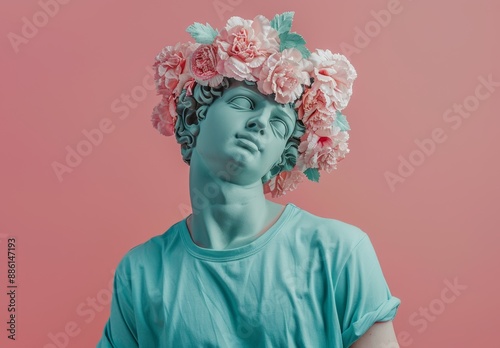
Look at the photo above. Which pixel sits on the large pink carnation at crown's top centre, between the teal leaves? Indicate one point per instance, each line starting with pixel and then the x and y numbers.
pixel 243 46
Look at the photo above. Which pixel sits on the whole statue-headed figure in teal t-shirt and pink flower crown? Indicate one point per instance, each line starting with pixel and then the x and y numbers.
pixel 255 114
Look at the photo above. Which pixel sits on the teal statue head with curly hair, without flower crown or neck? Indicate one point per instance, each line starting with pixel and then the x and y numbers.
pixel 235 124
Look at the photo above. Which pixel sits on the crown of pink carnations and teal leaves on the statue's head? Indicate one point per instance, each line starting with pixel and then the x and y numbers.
pixel 318 84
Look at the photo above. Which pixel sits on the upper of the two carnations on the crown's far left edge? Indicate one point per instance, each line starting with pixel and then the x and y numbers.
pixel 170 68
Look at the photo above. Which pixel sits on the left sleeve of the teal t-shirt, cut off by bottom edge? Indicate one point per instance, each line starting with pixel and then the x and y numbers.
pixel 120 330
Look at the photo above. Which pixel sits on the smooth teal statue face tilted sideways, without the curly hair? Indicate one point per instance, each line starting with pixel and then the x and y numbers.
pixel 244 134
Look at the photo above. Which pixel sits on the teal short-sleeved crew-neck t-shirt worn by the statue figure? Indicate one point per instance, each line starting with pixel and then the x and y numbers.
pixel 307 281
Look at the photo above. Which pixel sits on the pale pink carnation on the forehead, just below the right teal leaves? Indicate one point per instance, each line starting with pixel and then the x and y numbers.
pixel 284 73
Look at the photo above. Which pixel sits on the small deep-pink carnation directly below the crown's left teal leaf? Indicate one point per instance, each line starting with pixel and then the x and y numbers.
pixel 203 66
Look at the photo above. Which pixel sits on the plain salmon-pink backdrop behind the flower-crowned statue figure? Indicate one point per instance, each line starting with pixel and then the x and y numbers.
pixel 437 223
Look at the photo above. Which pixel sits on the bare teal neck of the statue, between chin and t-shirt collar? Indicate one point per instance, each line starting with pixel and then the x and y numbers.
pixel 226 215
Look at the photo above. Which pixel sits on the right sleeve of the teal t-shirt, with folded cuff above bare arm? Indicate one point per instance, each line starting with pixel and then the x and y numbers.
pixel 362 294
